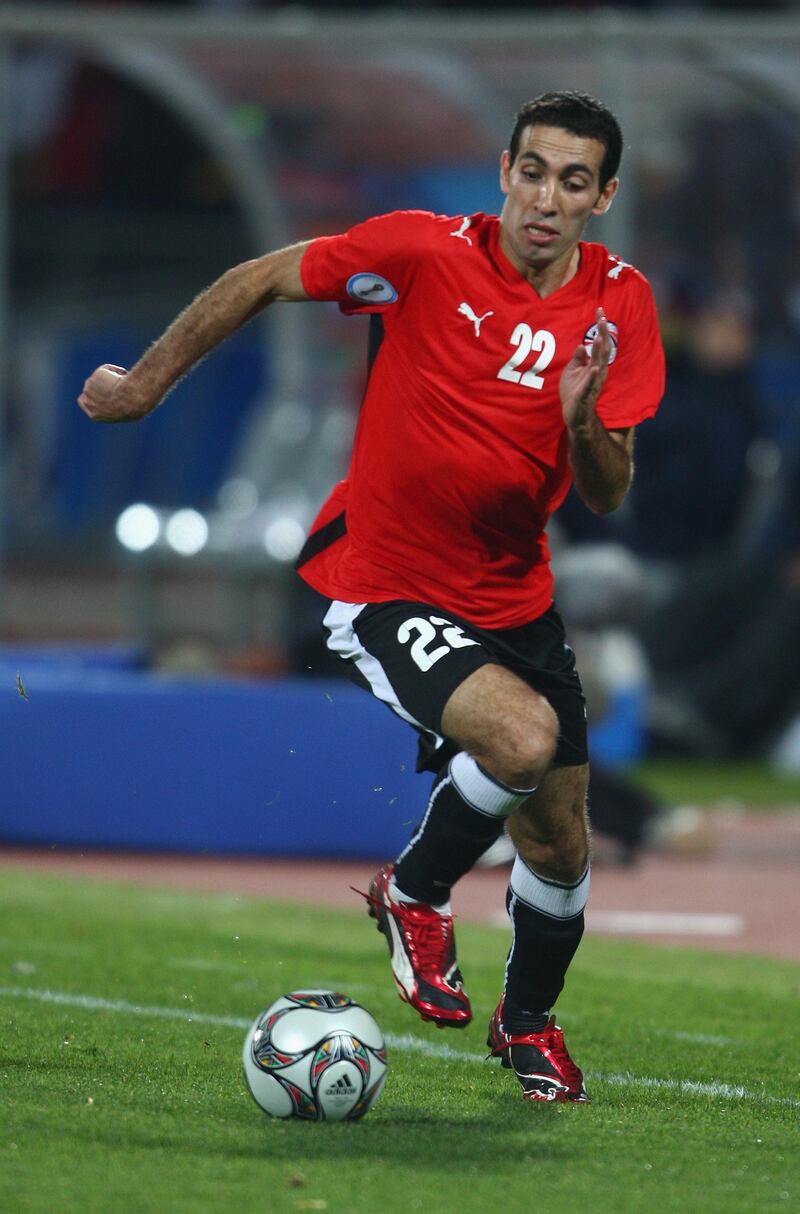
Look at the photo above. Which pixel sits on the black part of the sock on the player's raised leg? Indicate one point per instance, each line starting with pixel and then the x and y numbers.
pixel 447 844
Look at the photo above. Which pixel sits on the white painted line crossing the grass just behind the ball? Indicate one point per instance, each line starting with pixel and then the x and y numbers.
pixel 398 1042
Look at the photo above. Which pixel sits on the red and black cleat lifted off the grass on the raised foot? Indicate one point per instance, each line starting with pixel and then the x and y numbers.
pixel 422 946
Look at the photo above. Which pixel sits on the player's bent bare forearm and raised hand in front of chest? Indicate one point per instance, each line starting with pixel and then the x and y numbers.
pixel 602 461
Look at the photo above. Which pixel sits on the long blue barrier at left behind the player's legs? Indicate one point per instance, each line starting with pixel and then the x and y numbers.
pixel 121 759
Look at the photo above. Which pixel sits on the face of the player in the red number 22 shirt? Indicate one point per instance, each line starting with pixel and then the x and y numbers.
pixel 553 190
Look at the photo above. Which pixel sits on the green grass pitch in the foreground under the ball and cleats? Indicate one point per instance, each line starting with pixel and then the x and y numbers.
pixel 122 1091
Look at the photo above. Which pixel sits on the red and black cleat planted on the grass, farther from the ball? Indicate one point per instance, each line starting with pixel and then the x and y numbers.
pixel 541 1062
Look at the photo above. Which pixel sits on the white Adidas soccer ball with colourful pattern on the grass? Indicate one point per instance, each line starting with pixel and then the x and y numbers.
pixel 315 1056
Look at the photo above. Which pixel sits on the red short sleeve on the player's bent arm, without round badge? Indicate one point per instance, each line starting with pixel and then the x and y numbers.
pixel 636 383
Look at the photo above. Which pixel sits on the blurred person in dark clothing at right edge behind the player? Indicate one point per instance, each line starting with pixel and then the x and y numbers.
pixel 714 515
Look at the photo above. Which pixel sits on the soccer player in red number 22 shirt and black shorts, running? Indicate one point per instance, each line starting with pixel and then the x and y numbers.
pixel 513 359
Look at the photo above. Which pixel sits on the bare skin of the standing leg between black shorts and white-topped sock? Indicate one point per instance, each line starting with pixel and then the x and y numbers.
pixel 551 831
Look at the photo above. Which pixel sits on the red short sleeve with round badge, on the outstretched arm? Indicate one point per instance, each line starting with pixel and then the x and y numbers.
pixel 371 268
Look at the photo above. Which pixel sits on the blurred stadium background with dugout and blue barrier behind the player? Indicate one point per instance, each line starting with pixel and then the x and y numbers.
pixel 149 609
